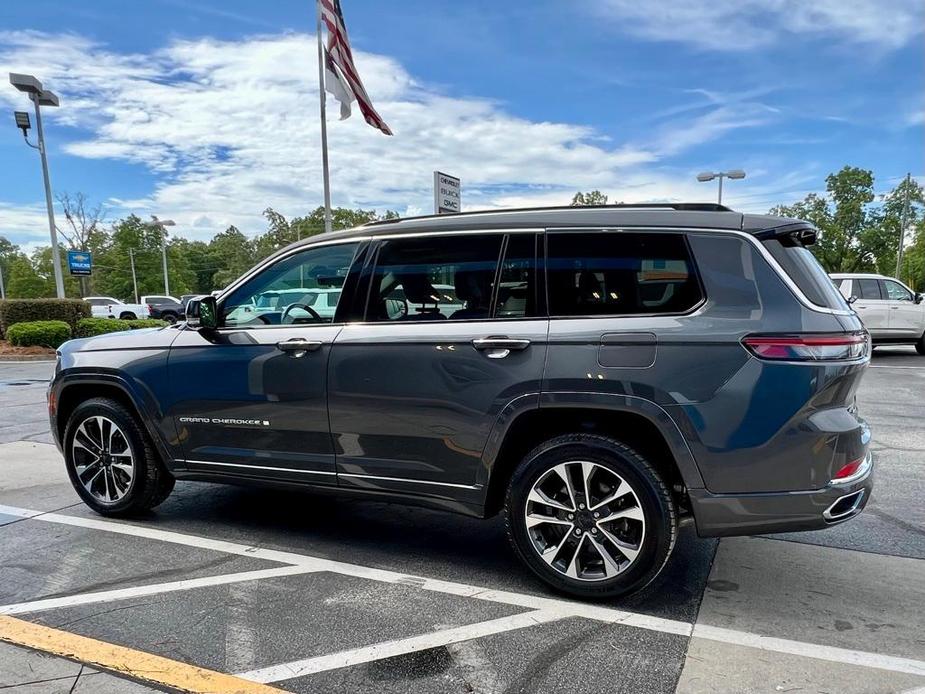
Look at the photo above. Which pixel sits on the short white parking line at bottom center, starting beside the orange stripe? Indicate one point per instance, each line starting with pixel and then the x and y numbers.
pixel 389 649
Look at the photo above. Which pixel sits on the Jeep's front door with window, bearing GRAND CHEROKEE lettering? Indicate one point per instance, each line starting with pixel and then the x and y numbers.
pixel 250 397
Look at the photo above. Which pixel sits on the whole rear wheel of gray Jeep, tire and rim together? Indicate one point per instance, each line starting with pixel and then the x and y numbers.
pixel 590 516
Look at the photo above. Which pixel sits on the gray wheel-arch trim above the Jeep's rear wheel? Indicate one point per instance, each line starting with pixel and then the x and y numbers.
pixel 602 401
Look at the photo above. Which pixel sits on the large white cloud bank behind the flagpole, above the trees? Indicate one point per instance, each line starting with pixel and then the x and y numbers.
pixel 229 128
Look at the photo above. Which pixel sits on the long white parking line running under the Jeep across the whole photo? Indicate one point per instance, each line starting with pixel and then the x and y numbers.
pixel 553 605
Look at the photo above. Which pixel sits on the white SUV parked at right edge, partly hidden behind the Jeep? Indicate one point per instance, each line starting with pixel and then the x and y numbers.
pixel 891 312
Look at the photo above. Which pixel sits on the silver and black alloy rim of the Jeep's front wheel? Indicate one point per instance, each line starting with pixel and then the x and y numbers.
pixel 103 459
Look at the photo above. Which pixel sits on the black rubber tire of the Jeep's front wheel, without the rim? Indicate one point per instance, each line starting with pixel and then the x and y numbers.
pixel 151 482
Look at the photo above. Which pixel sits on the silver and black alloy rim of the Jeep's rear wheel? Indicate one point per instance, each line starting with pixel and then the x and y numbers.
pixel 585 521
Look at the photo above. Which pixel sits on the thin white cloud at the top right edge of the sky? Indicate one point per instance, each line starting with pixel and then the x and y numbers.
pixel 734 25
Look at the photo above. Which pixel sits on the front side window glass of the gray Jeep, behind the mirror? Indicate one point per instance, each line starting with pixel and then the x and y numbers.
pixel 302 289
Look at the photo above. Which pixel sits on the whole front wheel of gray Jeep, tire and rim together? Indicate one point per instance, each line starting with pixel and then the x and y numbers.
pixel 111 461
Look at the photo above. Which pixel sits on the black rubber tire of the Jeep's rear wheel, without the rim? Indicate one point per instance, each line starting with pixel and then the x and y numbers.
pixel 654 499
